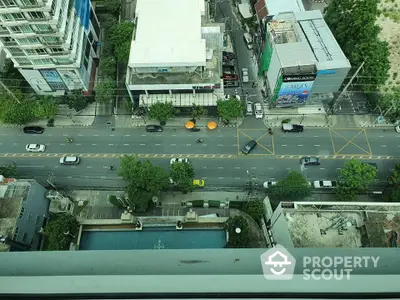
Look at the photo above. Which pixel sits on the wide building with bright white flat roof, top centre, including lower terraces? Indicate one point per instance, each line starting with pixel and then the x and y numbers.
pixel 176 55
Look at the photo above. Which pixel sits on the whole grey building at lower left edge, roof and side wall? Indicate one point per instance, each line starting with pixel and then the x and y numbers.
pixel 23 213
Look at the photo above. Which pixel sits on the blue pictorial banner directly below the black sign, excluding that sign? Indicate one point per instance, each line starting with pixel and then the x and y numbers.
pixel 293 93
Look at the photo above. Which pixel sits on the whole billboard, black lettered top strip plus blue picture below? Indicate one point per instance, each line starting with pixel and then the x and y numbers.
pixel 295 90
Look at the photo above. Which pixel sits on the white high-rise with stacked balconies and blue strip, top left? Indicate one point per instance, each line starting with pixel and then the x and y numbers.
pixel 53 43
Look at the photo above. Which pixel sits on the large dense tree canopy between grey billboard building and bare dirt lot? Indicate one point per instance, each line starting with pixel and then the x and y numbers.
pixel 353 23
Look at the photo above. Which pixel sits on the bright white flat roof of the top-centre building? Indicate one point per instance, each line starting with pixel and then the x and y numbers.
pixel 168 33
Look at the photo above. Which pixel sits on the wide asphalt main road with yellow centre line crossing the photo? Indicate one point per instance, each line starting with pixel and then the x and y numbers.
pixel 216 160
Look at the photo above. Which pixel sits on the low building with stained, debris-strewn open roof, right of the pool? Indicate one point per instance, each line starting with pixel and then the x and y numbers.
pixel 336 225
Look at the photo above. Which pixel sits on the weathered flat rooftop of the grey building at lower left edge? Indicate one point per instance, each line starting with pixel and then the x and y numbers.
pixel 12 193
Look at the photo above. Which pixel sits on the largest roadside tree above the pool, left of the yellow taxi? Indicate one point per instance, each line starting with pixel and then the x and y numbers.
pixel 143 181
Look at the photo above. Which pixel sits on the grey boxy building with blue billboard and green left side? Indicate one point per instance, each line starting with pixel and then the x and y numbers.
pixel 301 61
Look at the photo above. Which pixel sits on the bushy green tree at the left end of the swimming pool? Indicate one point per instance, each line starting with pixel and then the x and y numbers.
pixel 60 231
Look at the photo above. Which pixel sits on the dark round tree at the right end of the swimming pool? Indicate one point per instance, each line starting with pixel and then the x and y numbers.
pixel 241 239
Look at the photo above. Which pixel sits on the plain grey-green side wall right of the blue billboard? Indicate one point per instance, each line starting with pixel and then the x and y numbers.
pixel 329 81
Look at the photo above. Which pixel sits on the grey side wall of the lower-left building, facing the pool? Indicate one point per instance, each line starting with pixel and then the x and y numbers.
pixel 35 206
